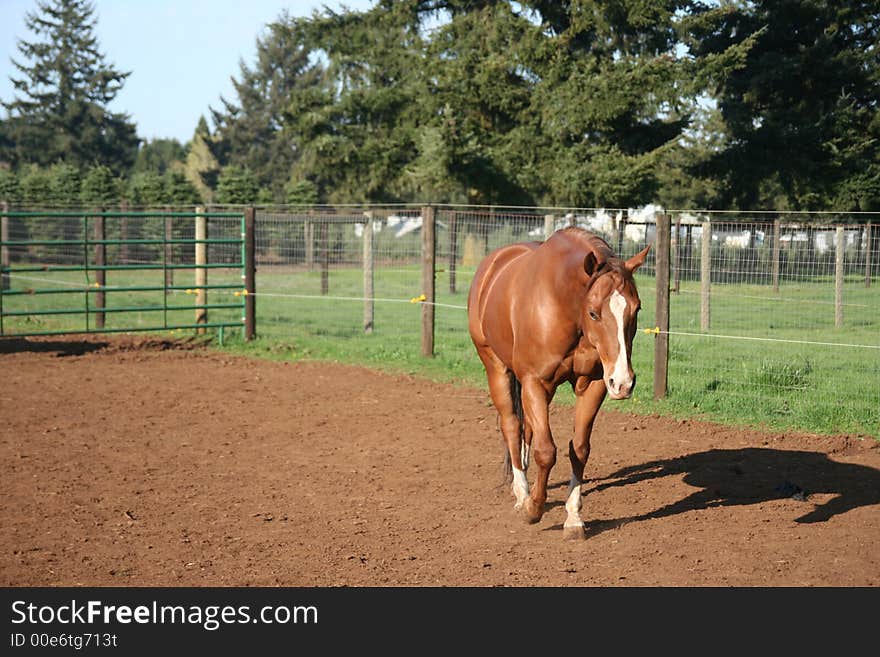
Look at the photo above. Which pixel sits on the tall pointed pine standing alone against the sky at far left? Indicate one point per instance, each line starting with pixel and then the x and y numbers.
pixel 60 109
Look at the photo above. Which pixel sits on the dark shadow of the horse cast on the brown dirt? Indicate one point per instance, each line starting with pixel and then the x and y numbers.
pixel 733 477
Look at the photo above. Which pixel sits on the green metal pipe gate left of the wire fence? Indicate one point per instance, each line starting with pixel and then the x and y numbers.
pixel 105 272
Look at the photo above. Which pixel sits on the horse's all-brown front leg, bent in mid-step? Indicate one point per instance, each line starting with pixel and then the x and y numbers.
pixel 536 402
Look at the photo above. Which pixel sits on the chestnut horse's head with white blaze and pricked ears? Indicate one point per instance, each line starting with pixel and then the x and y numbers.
pixel 609 318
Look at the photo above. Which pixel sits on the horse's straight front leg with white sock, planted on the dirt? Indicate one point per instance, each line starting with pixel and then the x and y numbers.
pixel 589 395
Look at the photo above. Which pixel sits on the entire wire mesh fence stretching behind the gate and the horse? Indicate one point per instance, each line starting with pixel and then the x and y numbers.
pixel 773 316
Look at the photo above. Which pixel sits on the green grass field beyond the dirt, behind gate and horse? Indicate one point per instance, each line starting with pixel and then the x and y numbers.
pixel 767 384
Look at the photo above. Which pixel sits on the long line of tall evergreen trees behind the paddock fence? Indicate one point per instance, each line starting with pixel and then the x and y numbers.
pixel 737 104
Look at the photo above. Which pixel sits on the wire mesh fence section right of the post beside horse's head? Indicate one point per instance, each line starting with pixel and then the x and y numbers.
pixel 774 317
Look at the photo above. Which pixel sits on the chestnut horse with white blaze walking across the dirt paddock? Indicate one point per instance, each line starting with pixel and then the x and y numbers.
pixel 541 314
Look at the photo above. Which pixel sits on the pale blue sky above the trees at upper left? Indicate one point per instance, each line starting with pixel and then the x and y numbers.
pixel 181 52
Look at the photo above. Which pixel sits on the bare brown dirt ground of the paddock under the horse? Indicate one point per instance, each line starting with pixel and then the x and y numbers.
pixel 135 461
